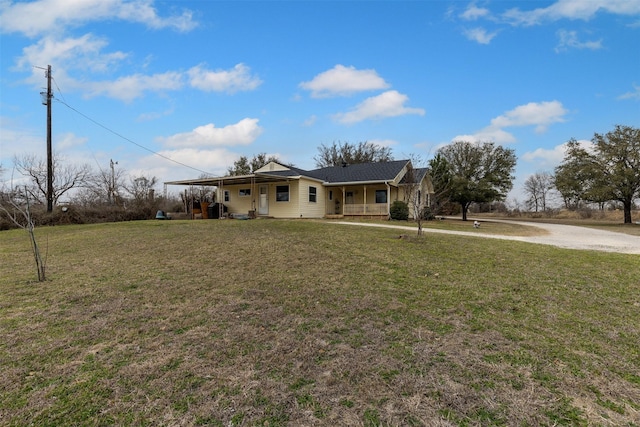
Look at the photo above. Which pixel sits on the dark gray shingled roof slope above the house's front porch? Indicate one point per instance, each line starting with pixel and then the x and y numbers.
pixel 380 171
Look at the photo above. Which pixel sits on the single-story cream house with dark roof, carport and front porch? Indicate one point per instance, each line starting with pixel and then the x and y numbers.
pixel 281 191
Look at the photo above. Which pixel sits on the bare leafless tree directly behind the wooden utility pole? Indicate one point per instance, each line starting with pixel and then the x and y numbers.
pixel 65 176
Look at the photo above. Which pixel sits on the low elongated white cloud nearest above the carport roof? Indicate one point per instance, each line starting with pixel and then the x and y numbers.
pixel 242 133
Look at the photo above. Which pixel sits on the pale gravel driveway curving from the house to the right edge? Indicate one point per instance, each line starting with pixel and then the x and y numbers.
pixel 563 236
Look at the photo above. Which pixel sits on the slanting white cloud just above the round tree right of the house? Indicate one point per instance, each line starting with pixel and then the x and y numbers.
pixel 538 114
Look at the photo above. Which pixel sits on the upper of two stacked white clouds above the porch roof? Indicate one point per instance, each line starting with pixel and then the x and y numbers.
pixel 343 81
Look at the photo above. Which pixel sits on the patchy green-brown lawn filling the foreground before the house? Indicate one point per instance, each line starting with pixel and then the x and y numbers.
pixel 269 322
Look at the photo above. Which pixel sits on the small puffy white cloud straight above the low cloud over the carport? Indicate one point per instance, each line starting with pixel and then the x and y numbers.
pixel 237 79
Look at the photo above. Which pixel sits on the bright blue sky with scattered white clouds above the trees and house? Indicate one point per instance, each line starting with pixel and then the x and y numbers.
pixel 204 82
